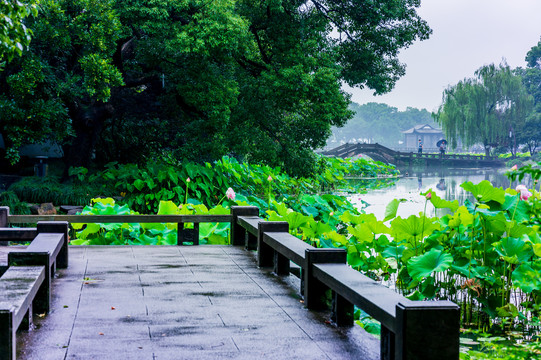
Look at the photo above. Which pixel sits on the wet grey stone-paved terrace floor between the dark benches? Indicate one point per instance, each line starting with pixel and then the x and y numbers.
pixel 194 302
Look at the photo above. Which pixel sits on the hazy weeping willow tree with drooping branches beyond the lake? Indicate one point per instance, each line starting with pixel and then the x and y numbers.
pixel 486 109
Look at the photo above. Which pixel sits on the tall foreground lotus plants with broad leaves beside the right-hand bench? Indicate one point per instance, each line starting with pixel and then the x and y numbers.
pixel 485 255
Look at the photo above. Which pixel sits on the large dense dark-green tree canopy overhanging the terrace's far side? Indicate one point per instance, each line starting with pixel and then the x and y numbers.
pixel 122 80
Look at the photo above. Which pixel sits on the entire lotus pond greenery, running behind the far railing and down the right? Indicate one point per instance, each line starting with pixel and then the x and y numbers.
pixel 482 252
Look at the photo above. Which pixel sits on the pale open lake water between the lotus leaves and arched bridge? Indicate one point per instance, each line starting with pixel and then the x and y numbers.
pixel 444 182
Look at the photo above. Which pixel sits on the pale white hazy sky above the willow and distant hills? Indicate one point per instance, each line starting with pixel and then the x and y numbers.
pixel 467 34
